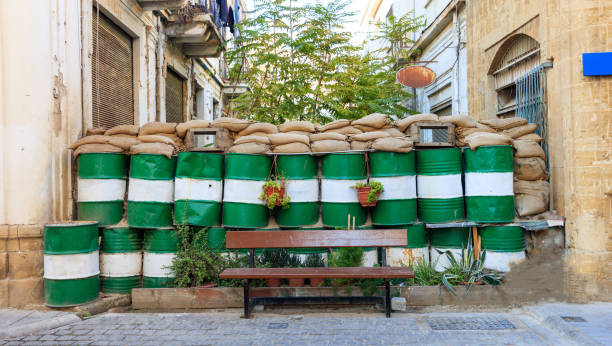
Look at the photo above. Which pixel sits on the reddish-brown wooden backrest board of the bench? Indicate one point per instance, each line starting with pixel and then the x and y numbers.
pixel 316 238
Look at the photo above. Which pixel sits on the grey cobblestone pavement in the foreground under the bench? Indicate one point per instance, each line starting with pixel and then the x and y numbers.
pixel 267 328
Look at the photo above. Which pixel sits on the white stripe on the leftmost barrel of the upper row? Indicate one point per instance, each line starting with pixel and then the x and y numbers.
pixel 100 190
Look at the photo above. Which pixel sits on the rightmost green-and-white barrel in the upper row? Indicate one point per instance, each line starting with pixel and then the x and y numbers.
pixel 489 179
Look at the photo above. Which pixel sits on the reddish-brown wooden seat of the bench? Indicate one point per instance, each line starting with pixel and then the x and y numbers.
pixel 318 273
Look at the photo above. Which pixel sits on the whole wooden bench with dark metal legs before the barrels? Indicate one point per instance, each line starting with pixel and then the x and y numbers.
pixel 316 238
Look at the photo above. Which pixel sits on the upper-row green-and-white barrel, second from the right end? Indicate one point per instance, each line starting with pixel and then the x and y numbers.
pixel 439 188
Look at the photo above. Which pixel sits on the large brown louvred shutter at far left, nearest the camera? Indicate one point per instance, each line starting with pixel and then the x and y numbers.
pixel 112 74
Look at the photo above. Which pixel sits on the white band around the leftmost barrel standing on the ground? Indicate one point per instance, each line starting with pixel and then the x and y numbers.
pixel 70 267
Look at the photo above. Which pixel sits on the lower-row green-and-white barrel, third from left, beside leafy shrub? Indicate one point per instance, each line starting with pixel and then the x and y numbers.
pixel 160 247
